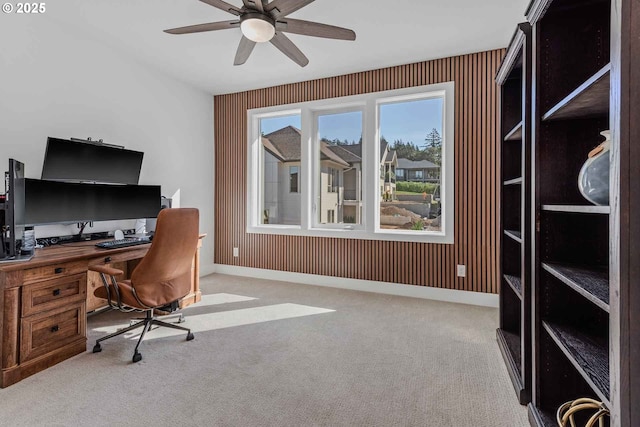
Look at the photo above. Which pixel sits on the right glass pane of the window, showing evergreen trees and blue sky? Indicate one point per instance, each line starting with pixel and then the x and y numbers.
pixel 410 164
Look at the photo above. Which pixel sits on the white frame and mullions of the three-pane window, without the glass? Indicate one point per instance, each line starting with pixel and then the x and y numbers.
pixel 369 230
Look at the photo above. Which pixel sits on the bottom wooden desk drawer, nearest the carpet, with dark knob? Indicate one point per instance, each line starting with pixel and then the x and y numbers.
pixel 45 332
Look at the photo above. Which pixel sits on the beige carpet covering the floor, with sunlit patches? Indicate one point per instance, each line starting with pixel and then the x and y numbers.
pixel 271 353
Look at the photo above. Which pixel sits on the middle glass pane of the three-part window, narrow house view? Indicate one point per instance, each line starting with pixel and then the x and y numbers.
pixel 339 199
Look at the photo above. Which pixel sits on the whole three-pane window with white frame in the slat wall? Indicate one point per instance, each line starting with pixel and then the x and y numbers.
pixel 373 166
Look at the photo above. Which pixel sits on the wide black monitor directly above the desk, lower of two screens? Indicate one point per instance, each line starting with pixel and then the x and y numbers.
pixel 52 202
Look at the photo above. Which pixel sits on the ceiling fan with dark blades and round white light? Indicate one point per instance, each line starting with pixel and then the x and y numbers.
pixel 263 21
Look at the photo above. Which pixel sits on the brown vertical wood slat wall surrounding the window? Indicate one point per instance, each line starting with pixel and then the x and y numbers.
pixel 476 183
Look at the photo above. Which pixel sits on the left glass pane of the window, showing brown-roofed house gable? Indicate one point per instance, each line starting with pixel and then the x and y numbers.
pixel 280 169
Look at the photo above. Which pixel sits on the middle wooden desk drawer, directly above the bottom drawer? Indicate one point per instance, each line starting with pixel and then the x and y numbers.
pixel 53 293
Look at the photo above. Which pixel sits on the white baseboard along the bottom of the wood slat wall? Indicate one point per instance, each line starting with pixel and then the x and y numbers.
pixel 426 292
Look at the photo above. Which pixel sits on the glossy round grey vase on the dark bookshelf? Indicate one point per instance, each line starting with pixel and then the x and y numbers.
pixel 593 180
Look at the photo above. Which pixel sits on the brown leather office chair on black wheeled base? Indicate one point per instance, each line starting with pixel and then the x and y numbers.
pixel 161 279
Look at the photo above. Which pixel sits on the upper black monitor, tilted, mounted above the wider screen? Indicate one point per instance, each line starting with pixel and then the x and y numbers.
pixel 74 161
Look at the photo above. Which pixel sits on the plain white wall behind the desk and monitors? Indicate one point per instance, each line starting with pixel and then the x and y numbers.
pixel 54 82
